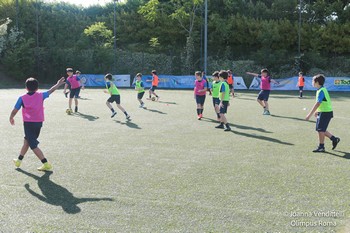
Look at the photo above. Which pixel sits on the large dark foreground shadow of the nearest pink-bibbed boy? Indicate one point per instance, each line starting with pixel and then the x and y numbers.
pixel 55 194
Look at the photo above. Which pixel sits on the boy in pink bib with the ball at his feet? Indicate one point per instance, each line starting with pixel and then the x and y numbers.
pixel 73 83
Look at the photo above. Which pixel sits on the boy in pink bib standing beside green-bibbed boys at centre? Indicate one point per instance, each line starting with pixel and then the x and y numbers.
pixel 200 90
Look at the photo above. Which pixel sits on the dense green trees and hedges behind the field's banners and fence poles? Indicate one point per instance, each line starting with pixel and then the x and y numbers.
pixel 167 35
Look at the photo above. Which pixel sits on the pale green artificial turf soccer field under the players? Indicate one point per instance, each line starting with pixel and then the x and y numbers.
pixel 166 171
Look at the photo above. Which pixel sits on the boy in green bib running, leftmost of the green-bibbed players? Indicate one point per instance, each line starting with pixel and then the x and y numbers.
pixel 115 96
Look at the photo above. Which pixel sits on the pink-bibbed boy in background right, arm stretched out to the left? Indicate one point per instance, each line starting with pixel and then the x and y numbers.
pixel 265 85
